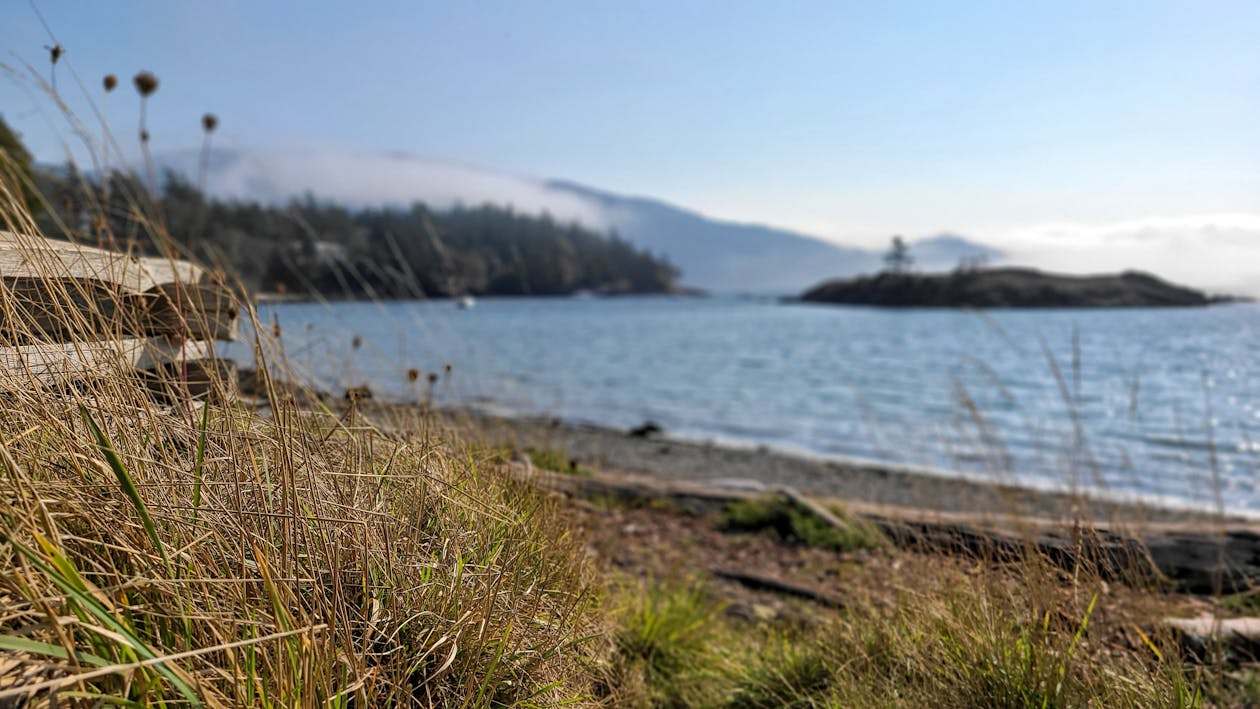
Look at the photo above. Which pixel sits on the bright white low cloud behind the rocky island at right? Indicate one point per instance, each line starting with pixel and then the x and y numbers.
pixel 1218 252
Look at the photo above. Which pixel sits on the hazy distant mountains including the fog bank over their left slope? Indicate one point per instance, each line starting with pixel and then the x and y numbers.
pixel 714 255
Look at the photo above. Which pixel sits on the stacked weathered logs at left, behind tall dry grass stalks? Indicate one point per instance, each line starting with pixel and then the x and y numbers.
pixel 71 313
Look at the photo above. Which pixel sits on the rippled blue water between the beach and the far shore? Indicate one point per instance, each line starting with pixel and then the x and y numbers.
pixel 1159 404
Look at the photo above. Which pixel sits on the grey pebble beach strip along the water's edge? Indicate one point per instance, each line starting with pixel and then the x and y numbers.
pixel 752 469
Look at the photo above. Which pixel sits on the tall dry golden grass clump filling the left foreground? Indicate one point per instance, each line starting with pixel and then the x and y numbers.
pixel 203 553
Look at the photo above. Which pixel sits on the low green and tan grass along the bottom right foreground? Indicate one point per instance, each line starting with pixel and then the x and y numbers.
pixel 952 640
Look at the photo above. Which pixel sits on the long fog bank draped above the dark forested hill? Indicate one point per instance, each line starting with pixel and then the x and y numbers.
pixel 375 179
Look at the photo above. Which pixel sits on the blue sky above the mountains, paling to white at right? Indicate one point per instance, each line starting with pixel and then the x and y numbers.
pixel 1010 123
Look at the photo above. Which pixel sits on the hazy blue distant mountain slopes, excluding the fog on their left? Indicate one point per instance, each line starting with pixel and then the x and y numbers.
pixel 728 256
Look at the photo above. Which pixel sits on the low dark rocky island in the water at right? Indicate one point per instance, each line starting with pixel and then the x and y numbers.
pixel 1007 288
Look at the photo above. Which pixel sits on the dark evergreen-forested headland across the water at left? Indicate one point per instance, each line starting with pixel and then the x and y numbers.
pixel 312 247
